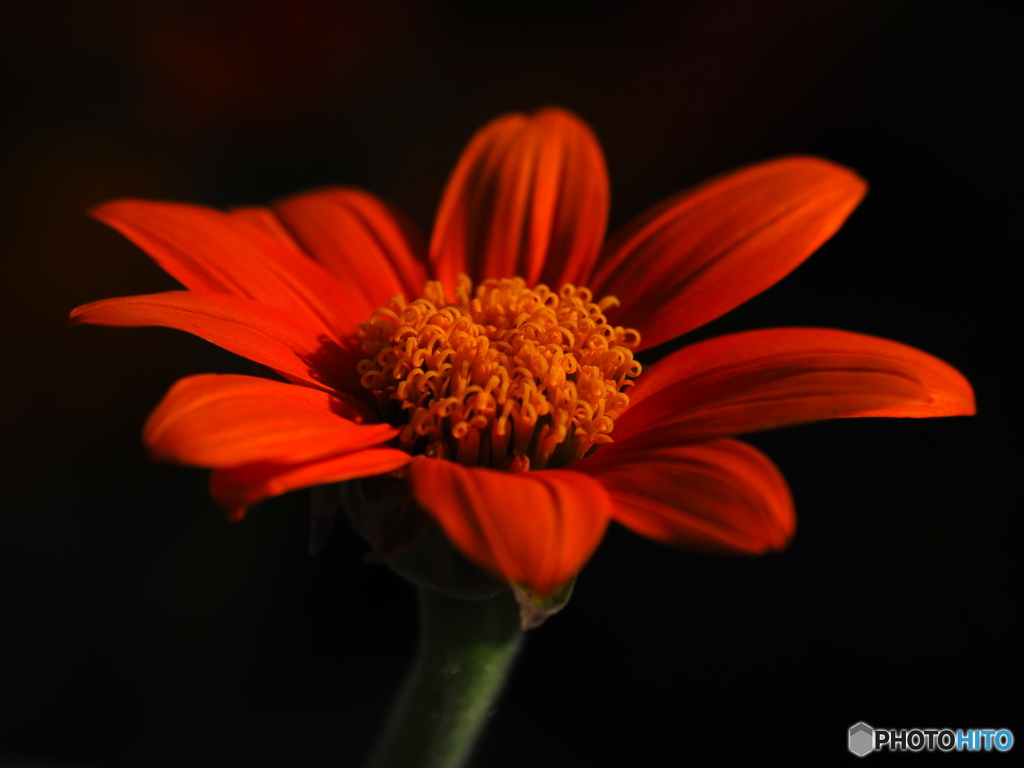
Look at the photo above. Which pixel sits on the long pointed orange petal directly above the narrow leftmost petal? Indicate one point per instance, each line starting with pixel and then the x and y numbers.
pixel 214 252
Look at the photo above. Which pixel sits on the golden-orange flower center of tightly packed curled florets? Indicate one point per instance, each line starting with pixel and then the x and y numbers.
pixel 502 376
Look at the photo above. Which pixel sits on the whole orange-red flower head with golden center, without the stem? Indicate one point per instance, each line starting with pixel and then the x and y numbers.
pixel 516 412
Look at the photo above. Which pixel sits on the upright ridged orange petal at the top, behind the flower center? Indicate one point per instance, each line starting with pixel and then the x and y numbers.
pixel 529 198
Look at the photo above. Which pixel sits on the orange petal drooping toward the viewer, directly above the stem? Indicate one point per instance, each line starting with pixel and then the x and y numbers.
pixel 535 529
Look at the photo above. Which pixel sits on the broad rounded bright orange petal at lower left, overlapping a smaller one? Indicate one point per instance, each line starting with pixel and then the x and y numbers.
pixel 227 421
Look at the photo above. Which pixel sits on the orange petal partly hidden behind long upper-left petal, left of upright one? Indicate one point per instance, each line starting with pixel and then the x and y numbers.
pixel 361 241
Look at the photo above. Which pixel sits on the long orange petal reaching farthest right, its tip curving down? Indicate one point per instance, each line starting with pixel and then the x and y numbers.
pixel 765 379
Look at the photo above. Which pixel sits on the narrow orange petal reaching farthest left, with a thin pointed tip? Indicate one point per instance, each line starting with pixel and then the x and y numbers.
pixel 259 332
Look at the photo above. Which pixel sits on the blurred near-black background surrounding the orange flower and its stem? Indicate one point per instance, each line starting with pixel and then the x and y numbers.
pixel 141 629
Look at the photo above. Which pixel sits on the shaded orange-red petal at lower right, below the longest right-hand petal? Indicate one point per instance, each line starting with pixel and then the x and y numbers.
pixel 721 496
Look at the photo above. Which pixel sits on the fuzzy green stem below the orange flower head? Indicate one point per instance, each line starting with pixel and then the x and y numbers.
pixel 466 649
